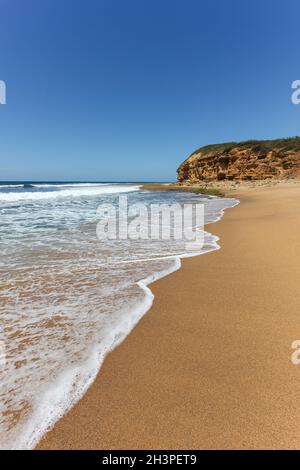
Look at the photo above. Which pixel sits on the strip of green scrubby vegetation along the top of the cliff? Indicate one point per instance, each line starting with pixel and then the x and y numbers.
pixel 290 144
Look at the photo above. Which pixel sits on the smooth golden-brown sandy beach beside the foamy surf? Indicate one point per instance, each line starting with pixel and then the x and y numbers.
pixel 208 367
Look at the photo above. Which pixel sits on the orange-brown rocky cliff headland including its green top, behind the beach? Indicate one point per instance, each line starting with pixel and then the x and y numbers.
pixel 252 160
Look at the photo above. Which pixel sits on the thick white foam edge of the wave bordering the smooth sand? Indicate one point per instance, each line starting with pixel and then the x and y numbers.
pixel 71 385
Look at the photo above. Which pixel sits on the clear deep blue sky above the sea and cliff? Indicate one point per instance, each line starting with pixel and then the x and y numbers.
pixel 126 89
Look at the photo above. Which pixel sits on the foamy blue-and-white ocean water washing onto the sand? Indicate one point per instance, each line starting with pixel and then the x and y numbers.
pixel 68 298
